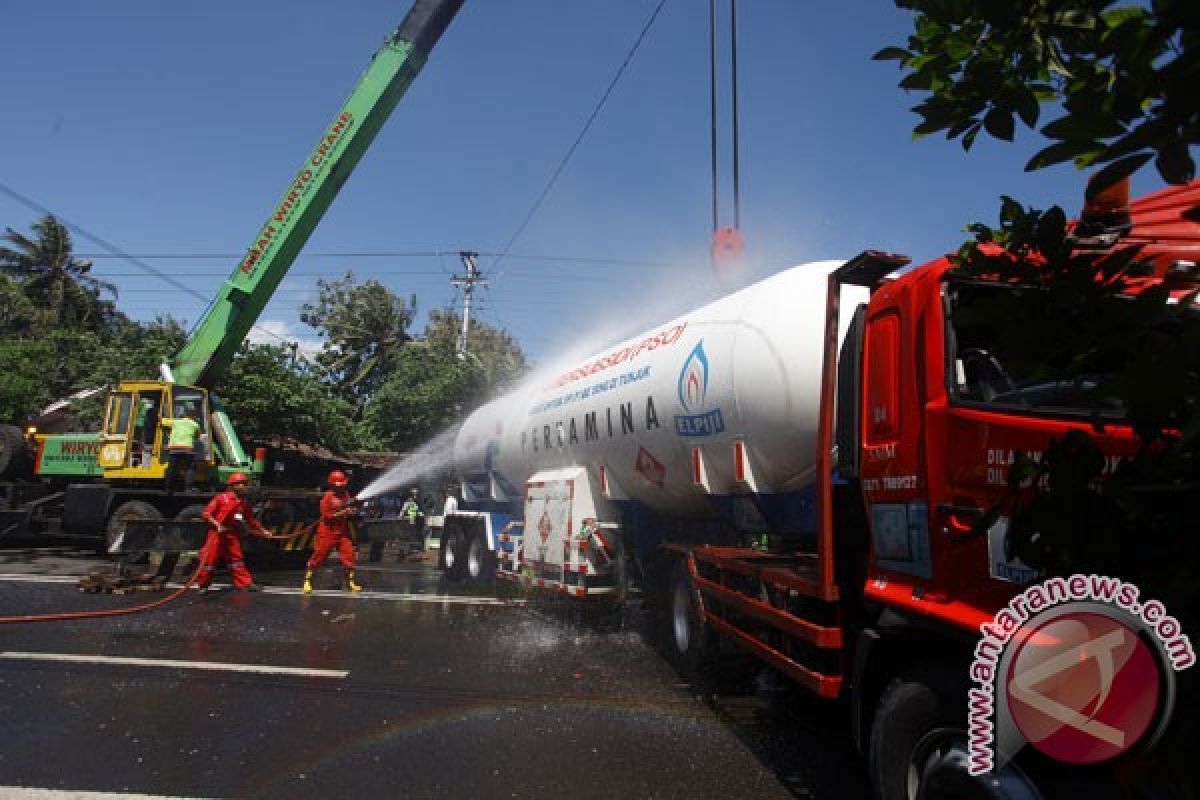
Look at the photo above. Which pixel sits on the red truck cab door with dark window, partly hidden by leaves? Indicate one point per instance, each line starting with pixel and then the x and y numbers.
pixel 1007 401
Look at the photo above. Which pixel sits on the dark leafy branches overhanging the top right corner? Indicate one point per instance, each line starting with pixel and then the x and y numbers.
pixel 1125 77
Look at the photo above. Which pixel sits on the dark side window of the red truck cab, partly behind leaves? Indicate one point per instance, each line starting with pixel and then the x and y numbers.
pixel 1024 348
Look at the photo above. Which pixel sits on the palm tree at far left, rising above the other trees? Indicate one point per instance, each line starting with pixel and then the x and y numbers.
pixel 53 278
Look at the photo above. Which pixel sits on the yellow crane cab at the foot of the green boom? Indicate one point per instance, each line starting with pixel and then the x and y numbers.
pixel 137 429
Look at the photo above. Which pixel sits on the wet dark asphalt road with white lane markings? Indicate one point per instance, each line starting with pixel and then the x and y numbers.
pixel 448 691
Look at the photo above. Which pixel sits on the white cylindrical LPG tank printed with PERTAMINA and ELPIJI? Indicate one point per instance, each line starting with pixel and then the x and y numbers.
pixel 721 401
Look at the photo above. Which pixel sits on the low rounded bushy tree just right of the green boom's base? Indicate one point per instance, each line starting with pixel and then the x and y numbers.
pixel 272 396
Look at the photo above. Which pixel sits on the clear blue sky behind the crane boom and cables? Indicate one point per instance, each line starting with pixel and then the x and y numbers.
pixel 172 129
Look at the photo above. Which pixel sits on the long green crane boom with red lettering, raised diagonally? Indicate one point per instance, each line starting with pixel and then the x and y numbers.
pixel 242 299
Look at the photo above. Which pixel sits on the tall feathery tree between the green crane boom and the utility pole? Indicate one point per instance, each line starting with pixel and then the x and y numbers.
pixel 365 327
